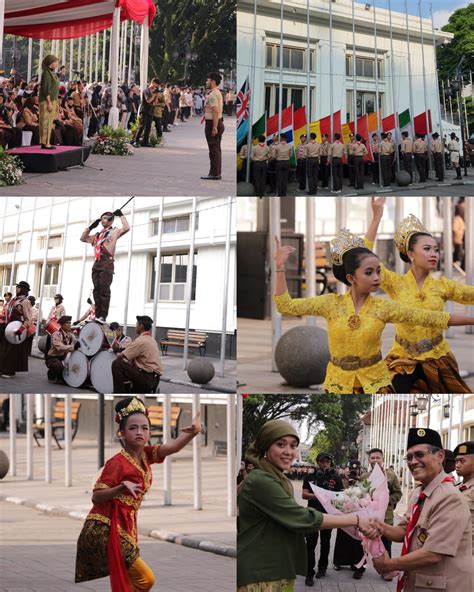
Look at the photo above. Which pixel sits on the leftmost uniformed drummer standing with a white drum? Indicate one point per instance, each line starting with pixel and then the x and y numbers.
pixel 14 357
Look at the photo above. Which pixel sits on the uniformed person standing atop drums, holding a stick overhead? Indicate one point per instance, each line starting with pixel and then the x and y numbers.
pixel 104 243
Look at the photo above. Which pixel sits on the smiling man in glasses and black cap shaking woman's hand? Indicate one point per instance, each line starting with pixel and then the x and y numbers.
pixel 436 530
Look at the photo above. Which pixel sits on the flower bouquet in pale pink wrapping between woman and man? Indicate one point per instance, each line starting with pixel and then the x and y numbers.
pixel 369 498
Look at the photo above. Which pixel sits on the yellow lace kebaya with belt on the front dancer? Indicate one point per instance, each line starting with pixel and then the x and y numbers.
pixel 355 339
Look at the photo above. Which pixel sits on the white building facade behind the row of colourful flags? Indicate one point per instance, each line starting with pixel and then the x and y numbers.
pixel 407 59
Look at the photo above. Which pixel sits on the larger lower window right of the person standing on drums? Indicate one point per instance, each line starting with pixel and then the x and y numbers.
pixel 173 273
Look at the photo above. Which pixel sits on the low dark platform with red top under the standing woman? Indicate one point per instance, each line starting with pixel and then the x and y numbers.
pixel 37 160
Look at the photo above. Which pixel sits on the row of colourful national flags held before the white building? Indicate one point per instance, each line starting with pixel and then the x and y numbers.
pixel 294 124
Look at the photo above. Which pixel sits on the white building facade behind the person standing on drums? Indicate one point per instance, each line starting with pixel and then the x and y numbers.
pixel 72 278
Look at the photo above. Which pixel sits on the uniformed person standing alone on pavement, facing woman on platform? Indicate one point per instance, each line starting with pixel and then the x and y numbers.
pixel 214 125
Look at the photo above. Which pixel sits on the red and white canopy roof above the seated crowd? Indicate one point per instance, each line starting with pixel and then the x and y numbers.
pixel 64 19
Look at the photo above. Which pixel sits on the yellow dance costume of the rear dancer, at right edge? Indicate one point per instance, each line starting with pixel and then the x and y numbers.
pixel 423 344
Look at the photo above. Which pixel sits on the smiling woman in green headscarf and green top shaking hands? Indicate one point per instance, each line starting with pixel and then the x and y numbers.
pixel 271 548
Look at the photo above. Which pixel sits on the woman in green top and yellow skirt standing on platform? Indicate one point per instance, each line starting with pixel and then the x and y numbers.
pixel 48 96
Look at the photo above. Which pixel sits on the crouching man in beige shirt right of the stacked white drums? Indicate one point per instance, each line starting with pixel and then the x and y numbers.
pixel 139 363
